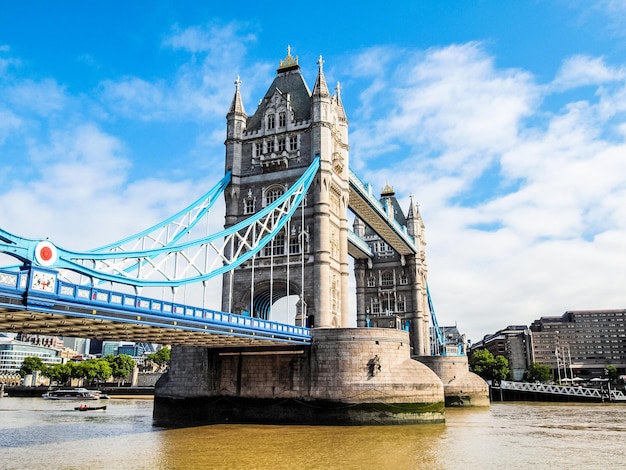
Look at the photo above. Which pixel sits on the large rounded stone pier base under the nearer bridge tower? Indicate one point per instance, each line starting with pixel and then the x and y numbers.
pixel 347 376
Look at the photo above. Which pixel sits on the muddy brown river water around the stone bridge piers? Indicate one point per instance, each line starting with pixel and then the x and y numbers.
pixel 42 434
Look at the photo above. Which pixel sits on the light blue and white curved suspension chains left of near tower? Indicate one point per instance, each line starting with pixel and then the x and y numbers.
pixel 230 247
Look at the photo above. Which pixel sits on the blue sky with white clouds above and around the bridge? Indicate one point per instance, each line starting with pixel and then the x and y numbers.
pixel 505 120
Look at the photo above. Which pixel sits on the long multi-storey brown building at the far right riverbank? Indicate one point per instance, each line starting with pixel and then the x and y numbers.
pixel 581 343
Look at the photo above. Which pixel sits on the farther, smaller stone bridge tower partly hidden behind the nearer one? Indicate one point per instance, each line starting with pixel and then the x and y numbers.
pixel 391 288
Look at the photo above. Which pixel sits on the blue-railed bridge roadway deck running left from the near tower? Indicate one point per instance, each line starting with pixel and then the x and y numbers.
pixel 60 308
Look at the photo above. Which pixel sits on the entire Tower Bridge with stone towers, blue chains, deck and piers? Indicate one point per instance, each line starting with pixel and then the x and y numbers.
pixel 287 189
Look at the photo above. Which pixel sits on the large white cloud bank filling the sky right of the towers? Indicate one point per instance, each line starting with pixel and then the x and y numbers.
pixel 554 236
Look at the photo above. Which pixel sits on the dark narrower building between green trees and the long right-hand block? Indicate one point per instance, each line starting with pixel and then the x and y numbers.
pixel 514 343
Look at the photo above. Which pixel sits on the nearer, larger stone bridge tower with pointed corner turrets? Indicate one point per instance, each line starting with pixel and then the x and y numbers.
pixel 266 153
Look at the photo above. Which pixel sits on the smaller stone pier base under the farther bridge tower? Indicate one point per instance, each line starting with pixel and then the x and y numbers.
pixel 460 386
